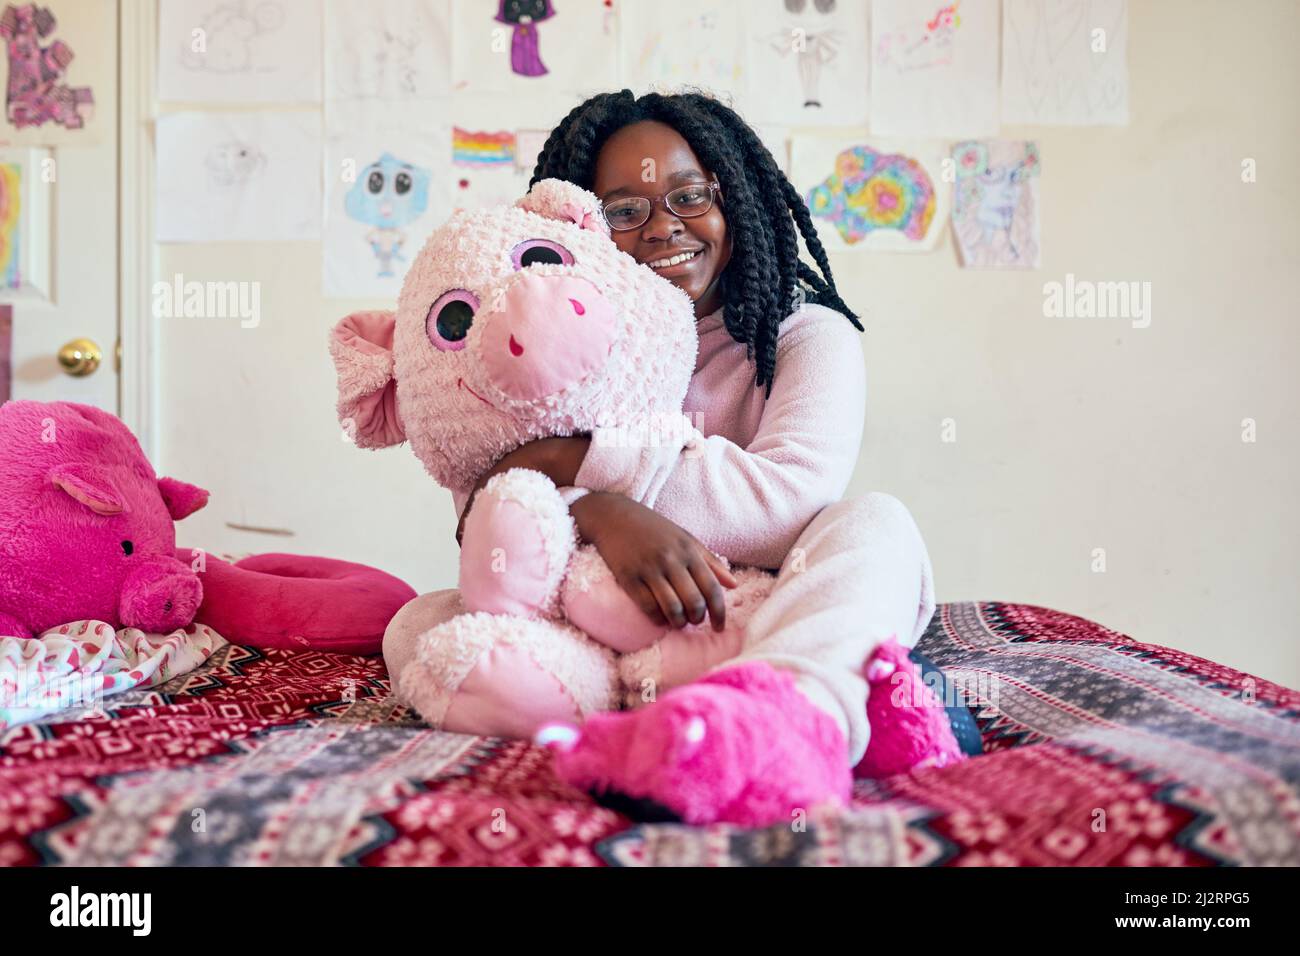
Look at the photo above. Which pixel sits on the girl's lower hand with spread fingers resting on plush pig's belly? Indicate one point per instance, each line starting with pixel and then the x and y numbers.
pixel 670 576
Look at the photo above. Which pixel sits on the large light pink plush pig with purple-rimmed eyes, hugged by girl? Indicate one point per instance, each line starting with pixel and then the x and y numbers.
pixel 518 323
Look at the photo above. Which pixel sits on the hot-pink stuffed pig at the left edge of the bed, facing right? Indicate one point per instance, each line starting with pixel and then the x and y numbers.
pixel 86 526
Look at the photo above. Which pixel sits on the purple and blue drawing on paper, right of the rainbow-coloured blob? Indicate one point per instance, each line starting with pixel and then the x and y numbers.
pixel 996 207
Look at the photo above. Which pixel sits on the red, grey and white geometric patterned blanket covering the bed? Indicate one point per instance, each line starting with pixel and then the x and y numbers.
pixel 1098 751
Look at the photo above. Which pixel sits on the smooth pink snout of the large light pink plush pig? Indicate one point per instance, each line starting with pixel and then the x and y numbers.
pixel 549 334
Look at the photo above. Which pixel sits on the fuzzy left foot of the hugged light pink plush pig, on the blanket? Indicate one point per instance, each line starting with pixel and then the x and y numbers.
pixel 478 673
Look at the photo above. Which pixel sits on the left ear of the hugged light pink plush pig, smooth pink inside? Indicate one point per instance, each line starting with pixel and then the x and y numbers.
pixel 362 348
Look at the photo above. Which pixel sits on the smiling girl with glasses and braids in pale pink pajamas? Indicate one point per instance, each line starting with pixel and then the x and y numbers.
pixel 778 395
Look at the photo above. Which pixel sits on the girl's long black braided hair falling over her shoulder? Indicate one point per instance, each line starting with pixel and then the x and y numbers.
pixel 765 279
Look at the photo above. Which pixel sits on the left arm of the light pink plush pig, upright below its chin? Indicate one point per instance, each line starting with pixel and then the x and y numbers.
pixel 518 542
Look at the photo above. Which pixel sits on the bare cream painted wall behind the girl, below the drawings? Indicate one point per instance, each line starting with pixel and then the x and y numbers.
pixel 1072 435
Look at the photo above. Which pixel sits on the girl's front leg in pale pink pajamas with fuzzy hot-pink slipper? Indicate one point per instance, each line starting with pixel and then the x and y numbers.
pixel 778 729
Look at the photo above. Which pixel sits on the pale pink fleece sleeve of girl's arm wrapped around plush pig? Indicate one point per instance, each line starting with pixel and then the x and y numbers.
pixel 751 504
